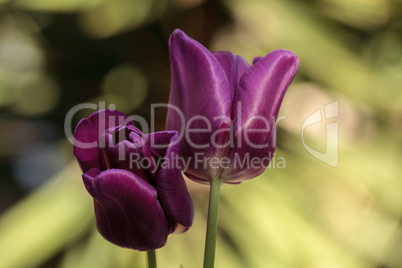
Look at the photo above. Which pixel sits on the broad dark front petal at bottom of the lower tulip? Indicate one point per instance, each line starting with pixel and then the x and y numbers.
pixel 127 209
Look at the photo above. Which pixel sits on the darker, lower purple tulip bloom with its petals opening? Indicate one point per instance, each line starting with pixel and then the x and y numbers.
pixel 140 196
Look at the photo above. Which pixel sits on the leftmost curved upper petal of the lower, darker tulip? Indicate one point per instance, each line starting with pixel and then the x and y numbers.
pixel 86 137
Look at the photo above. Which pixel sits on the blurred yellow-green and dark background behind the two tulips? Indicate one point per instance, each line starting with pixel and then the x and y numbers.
pixel 57 54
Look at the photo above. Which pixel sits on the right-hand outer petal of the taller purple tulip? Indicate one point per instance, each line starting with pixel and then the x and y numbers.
pixel 255 110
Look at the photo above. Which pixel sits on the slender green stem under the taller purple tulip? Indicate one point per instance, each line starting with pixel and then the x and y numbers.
pixel 212 224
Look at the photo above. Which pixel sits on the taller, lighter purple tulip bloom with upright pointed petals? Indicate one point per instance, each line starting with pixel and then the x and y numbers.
pixel 225 109
